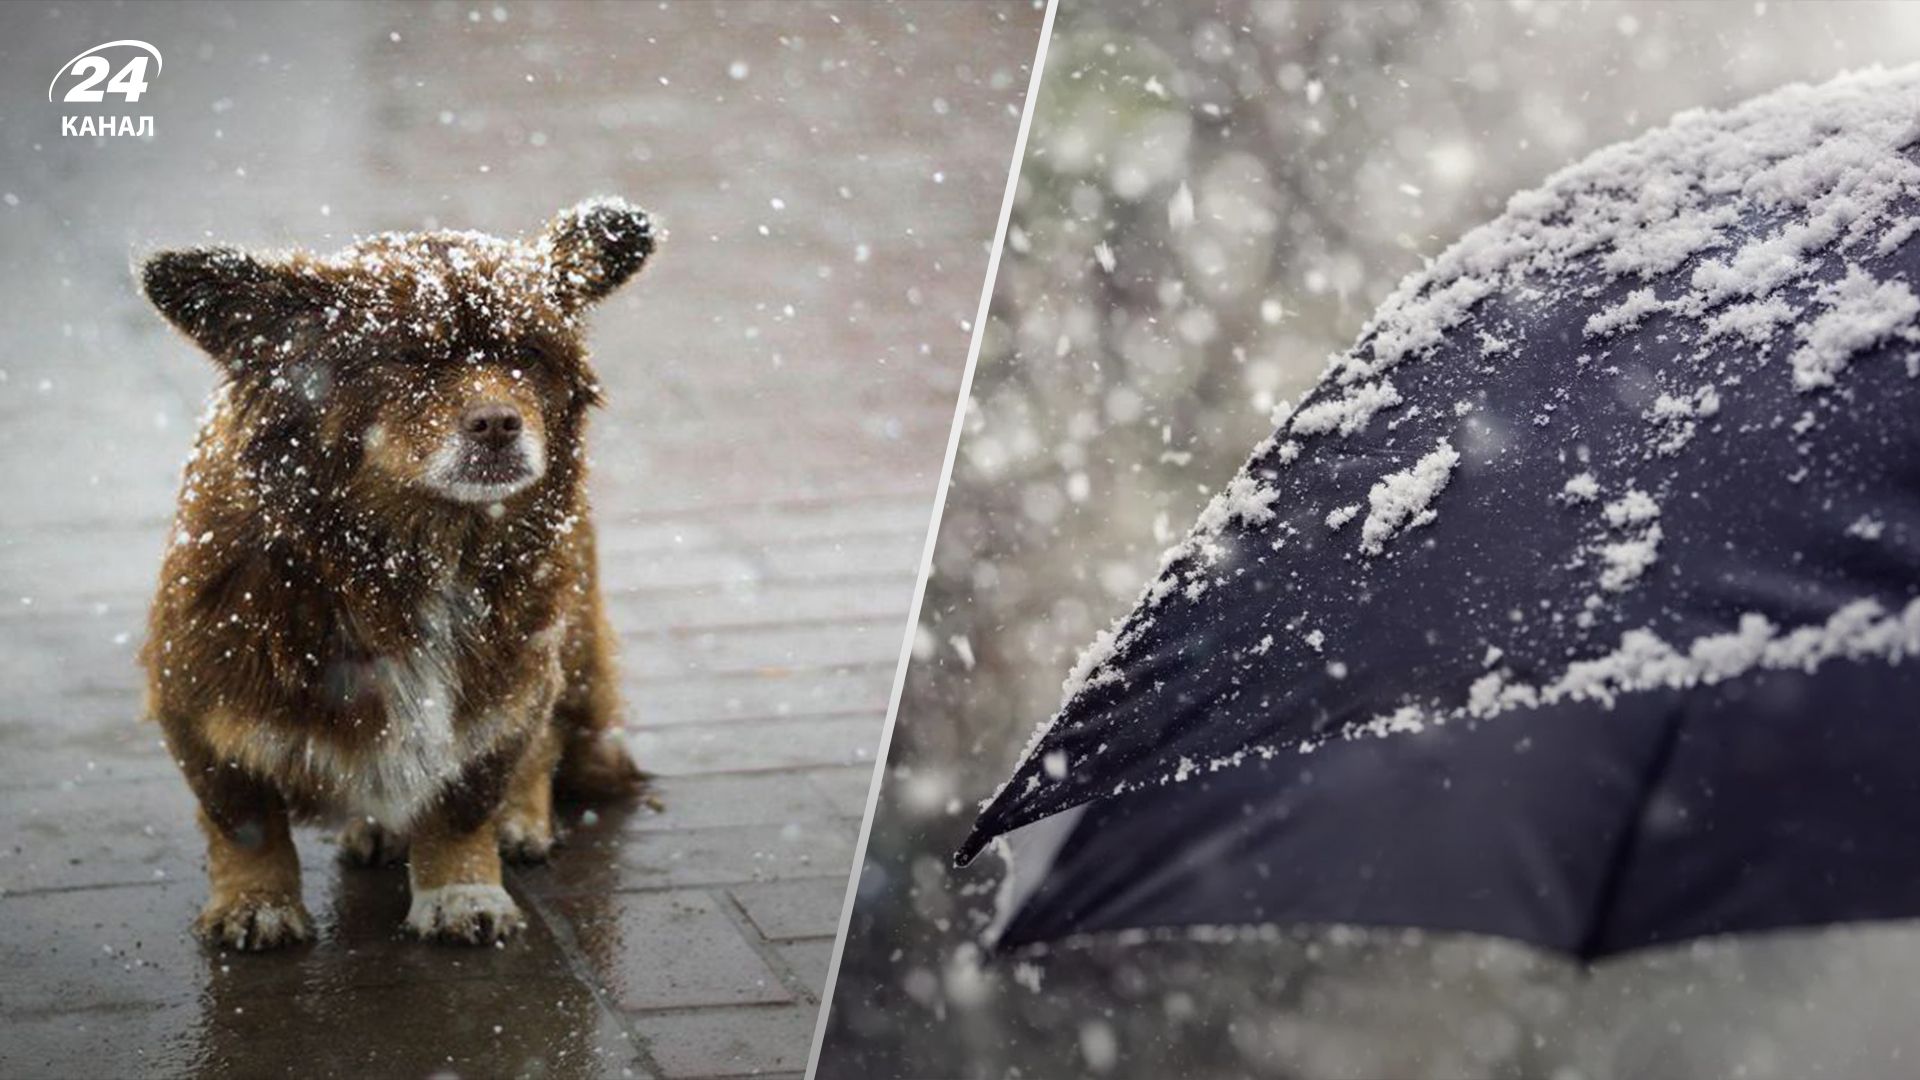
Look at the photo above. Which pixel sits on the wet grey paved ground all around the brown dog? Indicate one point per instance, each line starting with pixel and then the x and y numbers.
pixel 780 391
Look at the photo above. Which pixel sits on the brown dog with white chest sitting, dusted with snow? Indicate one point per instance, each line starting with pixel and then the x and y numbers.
pixel 381 599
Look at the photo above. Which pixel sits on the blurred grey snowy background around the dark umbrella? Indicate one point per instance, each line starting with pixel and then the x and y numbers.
pixel 1216 195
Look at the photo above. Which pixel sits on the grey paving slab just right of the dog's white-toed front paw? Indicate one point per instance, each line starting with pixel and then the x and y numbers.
pixel 669 950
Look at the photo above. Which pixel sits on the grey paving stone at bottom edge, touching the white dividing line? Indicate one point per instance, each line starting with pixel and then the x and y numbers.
pixel 729 1043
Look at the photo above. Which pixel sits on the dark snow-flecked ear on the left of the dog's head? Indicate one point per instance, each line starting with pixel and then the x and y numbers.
pixel 231 303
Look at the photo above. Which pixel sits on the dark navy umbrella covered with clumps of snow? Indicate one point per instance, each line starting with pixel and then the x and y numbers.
pixel 1573 604
